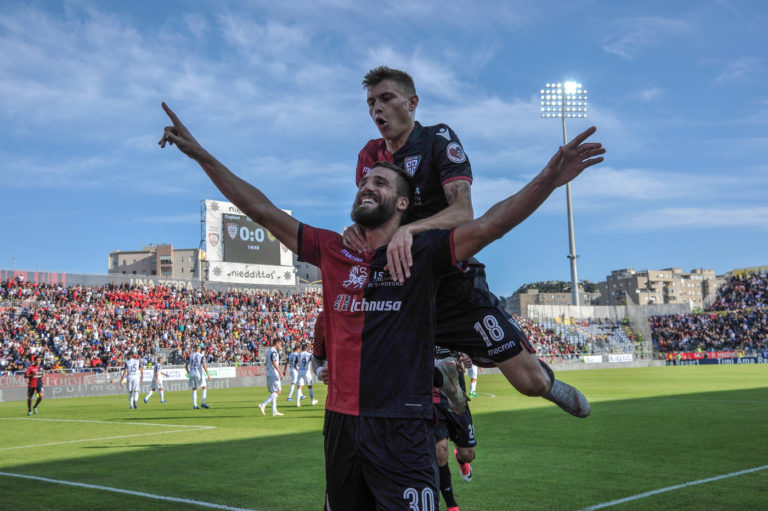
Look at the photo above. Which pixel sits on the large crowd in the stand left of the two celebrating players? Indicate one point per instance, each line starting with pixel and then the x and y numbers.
pixel 94 327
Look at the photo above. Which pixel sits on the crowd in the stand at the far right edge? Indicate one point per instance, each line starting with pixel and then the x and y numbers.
pixel 738 320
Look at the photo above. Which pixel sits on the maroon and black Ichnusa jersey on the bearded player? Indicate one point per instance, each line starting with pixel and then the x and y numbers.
pixel 379 333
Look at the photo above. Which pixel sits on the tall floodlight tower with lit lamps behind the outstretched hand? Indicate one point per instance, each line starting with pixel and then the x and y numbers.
pixel 566 100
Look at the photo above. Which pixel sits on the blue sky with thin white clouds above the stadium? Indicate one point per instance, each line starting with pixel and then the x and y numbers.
pixel 677 91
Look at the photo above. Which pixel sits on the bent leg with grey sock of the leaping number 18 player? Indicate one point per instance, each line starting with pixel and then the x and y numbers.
pixel 532 377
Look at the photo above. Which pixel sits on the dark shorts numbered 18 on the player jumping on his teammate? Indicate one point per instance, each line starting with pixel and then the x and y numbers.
pixel 470 319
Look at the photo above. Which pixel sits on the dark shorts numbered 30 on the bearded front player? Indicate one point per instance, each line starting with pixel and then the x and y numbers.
pixel 379 463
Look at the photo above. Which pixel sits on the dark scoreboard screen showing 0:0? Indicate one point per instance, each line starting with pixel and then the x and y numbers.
pixel 245 241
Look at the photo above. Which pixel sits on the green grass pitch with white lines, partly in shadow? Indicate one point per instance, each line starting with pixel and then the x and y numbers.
pixel 651 429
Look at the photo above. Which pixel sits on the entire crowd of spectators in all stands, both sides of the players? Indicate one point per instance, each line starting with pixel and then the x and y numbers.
pixel 93 327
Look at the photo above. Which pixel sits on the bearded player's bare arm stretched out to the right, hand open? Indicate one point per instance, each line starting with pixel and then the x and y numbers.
pixel 569 161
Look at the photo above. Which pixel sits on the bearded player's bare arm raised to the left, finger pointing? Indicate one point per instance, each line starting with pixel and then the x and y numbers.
pixel 245 196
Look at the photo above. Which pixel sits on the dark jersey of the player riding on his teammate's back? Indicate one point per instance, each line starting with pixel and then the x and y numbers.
pixel 432 155
